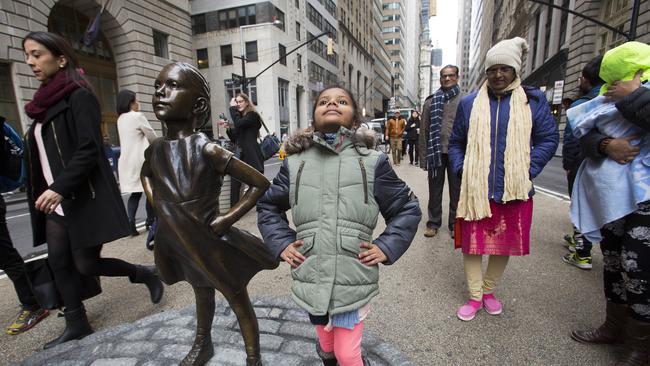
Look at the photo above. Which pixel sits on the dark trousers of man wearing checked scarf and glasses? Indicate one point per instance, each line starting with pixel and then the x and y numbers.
pixel 436 185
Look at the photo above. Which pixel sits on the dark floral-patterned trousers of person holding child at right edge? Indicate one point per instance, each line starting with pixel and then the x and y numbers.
pixel 626 259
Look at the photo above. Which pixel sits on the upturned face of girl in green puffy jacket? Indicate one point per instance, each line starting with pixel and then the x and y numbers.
pixel 334 109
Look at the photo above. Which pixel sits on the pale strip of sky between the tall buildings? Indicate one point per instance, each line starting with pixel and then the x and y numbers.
pixel 443 29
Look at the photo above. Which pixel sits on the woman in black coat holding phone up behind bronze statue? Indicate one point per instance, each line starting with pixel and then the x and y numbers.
pixel 244 133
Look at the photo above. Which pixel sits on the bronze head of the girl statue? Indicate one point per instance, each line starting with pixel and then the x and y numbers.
pixel 173 99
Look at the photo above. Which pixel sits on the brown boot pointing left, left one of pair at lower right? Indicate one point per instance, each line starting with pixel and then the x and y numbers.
pixel 612 330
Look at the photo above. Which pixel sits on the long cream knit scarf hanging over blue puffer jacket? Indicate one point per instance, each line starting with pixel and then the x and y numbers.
pixel 473 203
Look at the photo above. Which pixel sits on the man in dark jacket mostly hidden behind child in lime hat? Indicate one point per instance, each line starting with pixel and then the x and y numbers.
pixel 589 85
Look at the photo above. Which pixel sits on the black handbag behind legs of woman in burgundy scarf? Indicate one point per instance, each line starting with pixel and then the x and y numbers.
pixel 41 280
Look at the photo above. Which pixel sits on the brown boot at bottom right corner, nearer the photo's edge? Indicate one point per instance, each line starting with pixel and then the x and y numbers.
pixel 637 344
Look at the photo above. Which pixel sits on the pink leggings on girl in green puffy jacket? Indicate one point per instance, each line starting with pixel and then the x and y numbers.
pixel 345 343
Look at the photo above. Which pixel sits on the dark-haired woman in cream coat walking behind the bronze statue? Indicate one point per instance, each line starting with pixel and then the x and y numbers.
pixel 135 136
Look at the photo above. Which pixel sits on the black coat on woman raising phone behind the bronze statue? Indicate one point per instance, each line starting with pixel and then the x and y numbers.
pixel 244 135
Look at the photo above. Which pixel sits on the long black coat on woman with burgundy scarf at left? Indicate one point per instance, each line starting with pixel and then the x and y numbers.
pixel 92 204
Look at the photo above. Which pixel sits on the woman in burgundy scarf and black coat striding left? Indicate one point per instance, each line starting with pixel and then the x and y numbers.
pixel 73 199
